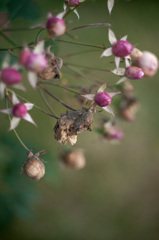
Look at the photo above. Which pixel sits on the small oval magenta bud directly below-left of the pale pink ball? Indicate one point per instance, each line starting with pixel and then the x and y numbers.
pixel 133 72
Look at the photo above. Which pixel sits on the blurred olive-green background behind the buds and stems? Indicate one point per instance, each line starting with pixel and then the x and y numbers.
pixel 116 196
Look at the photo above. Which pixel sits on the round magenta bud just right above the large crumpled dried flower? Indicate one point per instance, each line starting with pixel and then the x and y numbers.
pixel 103 99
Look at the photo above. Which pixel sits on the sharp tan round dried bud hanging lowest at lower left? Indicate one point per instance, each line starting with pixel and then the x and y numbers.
pixel 34 168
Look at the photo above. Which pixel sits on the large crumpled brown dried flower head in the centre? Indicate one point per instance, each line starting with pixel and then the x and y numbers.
pixel 73 122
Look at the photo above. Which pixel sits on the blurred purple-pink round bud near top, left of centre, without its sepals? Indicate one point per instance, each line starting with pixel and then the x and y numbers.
pixel 56 26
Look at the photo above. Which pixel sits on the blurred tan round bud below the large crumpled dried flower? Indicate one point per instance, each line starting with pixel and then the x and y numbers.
pixel 74 159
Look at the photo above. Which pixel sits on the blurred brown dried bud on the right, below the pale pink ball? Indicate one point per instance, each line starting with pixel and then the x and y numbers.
pixel 128 107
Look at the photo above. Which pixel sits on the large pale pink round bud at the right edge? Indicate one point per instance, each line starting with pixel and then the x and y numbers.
pixel 148 63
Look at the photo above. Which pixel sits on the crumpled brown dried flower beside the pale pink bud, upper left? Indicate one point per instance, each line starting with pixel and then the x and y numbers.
pixel 54 66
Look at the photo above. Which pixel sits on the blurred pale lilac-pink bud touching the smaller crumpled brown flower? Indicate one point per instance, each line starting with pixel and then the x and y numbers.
pixel 37 62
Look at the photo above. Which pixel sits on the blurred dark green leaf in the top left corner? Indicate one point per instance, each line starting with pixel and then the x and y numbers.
pixel 25 9
